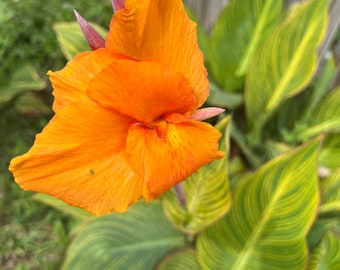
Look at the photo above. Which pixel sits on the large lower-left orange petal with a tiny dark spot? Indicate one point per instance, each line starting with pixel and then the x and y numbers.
pixel 80 158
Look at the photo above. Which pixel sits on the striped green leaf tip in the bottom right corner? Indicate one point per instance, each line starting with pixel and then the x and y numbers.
pixel 326 255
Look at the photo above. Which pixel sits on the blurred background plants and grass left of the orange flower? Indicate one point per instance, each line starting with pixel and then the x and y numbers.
pixel 32 235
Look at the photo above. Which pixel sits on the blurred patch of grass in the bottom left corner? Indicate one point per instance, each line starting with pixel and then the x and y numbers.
pixel 33 236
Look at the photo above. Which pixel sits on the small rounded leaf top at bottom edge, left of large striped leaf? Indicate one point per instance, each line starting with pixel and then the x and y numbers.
pixel 180 260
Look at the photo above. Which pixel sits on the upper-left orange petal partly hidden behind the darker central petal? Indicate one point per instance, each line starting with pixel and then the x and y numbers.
pixel 70 83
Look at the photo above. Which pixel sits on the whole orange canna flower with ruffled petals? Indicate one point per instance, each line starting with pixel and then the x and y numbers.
pixel 126 123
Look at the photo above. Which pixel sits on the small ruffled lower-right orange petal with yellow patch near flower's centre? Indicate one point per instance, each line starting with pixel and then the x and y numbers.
pixel 164 162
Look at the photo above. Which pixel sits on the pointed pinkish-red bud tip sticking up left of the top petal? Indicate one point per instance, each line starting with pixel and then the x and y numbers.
pixel 92 37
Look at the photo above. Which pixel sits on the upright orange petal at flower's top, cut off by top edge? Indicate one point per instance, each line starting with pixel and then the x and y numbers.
pixel 160 30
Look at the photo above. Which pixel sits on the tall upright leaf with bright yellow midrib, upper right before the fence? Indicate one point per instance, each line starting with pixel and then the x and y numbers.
pixel 286 62
